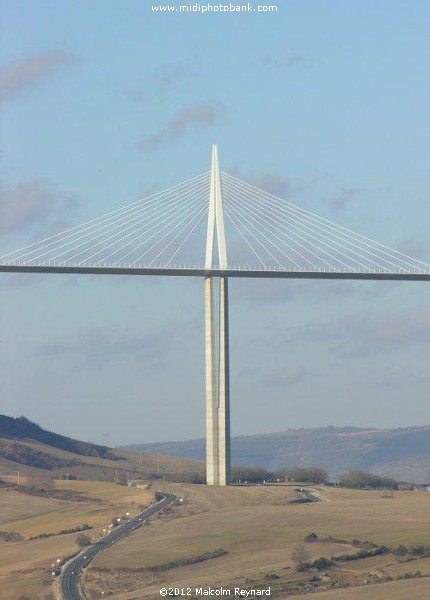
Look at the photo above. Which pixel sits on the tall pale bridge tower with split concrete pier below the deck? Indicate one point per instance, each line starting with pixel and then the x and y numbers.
pixel 217 342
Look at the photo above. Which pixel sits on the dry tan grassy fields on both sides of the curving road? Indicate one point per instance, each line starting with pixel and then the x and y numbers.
pixel 257 528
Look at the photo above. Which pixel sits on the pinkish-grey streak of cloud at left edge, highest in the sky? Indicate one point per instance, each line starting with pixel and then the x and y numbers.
pixel 23 75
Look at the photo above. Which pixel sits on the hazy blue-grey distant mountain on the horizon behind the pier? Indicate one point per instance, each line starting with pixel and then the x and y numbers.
pixel 400 453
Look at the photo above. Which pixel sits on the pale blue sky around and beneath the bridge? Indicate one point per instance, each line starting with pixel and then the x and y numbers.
pixel 323 102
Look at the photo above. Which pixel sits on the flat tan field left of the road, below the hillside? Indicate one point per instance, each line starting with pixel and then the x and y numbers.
pixel 25 566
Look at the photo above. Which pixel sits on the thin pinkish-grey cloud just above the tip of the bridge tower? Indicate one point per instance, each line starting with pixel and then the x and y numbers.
pixel 199 116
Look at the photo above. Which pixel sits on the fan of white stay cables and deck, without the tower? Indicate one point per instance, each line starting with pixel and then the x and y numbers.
pixel 165 234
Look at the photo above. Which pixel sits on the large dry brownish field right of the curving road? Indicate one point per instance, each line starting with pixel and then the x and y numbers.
pixel 259 529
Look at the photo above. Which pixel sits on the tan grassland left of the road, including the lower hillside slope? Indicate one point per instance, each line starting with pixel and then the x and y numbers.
pixel 25 566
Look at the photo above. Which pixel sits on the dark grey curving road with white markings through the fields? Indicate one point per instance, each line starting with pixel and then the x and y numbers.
pixel 69 579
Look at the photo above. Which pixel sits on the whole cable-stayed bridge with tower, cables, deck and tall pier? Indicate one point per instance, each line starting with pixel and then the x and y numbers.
pixel 175 233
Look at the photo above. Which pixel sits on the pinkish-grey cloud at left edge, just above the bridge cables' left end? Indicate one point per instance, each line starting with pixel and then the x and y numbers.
pixel 31 203
